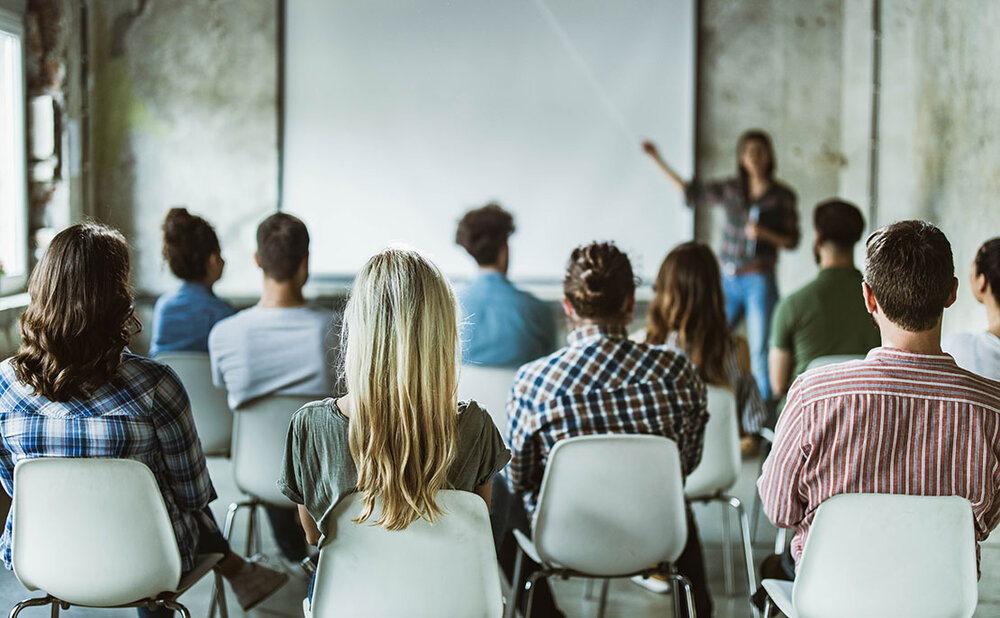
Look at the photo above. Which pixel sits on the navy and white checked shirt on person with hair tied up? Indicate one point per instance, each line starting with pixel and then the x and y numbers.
pixel 601 383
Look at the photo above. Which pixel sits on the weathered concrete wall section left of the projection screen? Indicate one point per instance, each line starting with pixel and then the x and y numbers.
pixel 185 113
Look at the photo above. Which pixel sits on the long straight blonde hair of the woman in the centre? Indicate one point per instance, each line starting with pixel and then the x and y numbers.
pixel 400 364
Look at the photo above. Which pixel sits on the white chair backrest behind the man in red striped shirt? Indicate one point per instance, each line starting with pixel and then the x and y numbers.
pixel 889 555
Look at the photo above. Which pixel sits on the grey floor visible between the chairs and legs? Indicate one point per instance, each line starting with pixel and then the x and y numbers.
pixel 625 599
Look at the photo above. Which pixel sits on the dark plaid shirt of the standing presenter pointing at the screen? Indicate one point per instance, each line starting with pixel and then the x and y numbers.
pixel 776 211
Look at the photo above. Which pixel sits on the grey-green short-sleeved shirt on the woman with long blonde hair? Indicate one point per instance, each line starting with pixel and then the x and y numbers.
pixel 318 470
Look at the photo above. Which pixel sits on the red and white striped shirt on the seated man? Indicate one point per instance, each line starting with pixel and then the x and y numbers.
pixel 895 423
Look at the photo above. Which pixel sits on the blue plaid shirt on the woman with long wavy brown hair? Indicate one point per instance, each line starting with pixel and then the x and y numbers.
pixel 142 413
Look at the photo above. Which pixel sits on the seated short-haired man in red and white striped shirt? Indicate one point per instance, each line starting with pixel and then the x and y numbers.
pixel 906 419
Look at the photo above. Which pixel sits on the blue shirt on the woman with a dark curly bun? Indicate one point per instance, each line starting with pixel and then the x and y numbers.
pixel 183 319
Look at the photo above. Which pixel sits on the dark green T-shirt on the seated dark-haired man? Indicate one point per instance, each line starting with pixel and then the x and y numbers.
pixel 825 317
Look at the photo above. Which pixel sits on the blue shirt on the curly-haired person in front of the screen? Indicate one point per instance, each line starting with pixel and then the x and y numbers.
pixel 504 326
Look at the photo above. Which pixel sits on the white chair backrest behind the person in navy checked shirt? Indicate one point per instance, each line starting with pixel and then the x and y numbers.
pixel 611 505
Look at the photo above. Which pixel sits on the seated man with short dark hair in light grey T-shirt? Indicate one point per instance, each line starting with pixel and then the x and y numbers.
pixel 280 346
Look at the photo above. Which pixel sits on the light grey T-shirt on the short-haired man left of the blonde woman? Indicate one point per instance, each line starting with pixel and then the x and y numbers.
pixel 275 351
